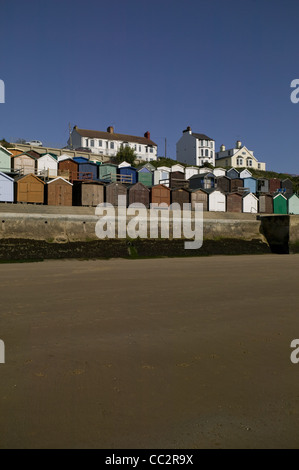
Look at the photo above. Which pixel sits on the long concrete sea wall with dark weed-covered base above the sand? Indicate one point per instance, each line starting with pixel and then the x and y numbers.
pixel 43 232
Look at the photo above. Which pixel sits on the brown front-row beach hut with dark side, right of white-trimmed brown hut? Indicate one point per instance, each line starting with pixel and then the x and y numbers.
pixel 88 193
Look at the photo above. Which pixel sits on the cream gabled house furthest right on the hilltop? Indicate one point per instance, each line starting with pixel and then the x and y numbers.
pixel 238 157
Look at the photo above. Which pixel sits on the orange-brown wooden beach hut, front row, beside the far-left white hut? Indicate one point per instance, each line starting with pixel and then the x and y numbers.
pixel 29 188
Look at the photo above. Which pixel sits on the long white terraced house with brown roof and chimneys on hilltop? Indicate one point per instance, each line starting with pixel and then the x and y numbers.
pixel 108 143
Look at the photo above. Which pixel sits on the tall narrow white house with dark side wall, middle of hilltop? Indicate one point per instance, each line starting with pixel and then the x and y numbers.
pixel 195 149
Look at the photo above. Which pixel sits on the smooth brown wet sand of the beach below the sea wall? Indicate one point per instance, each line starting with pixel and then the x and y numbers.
pixel 152 354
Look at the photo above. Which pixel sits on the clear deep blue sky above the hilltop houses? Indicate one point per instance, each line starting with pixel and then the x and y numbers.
pixel 223 67
